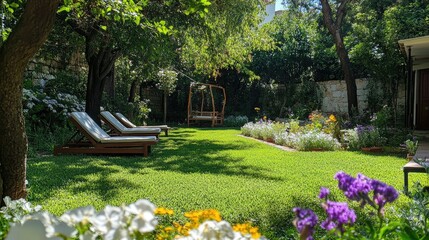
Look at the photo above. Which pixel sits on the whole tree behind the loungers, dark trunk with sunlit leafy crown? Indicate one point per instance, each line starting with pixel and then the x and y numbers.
pixel 106 27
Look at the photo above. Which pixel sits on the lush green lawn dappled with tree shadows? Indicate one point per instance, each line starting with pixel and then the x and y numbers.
pixel 208 168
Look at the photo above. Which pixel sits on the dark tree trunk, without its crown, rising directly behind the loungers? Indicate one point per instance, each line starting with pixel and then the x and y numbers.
pixel 101 69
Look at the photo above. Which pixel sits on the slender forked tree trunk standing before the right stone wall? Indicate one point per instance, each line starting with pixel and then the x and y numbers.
pixel 334 27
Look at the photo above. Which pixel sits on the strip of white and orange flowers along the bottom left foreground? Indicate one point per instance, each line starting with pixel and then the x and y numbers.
pixel 139 220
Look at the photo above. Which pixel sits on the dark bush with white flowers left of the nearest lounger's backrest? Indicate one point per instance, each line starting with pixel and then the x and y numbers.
pixel 43 110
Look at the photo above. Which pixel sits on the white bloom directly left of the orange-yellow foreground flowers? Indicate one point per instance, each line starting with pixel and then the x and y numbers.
pixel 144 218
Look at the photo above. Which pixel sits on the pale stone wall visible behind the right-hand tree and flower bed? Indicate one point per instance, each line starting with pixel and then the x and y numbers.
pixel 334 94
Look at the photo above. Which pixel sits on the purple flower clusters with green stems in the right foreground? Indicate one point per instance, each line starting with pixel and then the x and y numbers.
pixel 341 219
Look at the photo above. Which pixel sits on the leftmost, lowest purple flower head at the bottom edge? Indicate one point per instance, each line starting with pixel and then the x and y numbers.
pixel 305 221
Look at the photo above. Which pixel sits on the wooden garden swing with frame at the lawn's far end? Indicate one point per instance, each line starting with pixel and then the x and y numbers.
pixel 215 116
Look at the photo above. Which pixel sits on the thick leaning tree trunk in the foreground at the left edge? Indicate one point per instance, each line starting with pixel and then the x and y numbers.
pixel 25 40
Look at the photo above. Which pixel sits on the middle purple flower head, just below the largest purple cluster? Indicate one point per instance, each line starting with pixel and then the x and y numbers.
pixel 339 215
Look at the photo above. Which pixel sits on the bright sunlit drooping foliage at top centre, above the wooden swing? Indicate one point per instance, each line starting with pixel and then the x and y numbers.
pixel 230 34
